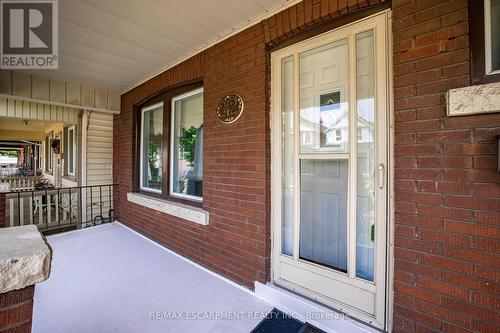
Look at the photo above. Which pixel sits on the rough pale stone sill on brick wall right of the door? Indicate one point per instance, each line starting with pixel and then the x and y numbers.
pixel 484 98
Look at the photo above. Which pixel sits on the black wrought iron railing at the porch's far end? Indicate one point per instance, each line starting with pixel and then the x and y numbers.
pixel 62 209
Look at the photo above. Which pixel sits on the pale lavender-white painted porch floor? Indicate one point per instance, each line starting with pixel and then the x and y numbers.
pixel 110 279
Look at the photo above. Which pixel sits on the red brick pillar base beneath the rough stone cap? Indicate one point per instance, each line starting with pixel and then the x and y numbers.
pixel 16 309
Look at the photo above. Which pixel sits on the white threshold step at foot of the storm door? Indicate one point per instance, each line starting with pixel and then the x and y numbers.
pixel 312 311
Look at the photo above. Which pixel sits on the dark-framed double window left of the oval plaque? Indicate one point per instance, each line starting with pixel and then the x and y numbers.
pixel 169 145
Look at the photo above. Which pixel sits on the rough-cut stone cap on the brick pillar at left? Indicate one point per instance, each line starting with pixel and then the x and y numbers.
pixel 25 258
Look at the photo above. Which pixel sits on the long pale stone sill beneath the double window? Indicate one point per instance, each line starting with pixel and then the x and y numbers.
pixel 192 214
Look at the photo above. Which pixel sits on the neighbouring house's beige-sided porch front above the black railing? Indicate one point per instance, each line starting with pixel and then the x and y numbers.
pixel 80 117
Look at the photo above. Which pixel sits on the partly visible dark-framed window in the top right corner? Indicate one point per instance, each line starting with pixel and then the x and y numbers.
pixel 484 40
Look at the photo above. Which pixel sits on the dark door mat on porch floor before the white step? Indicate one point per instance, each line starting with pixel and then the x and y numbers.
pixel 280 322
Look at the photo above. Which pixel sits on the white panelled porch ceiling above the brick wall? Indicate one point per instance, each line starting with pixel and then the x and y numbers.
pixel 117 44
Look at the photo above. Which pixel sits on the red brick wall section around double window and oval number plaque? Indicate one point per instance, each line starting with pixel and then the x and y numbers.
pixel 236 157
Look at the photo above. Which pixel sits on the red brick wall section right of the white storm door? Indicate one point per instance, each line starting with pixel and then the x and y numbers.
pixel 447 236
